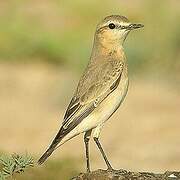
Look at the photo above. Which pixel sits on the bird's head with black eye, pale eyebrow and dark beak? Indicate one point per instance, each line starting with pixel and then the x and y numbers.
pixel 114 29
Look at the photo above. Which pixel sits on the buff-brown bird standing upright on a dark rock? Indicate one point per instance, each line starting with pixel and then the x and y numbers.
pixel 101 88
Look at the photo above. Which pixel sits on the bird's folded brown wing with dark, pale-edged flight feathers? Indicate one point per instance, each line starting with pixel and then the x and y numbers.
pixel 92 90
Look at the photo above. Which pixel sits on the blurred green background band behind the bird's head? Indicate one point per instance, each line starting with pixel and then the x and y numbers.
pixel 61 32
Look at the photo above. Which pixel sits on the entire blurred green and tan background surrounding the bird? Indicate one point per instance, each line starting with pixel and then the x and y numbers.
pixel 44 47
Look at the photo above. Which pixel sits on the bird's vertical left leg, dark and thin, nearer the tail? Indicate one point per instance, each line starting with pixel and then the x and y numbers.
pixel 86 141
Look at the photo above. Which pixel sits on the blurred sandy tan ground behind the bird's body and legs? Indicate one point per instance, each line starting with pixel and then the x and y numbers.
pixel 144 134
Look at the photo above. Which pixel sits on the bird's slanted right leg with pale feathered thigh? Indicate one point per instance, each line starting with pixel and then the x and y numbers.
pixel 96 139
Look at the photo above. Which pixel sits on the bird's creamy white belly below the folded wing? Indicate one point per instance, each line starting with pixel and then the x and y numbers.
pixel 102 112
